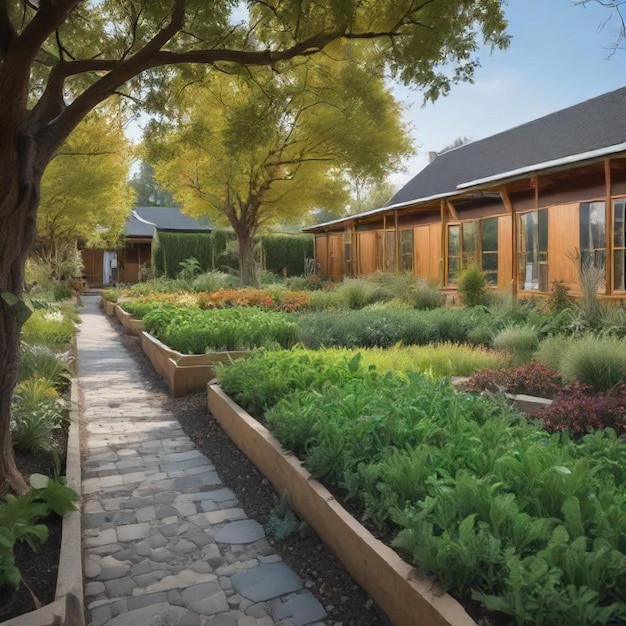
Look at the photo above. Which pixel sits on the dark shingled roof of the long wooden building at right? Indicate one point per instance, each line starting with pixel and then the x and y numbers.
pixel 591 125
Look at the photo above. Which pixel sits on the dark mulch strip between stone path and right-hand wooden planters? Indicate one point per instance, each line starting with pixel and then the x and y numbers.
pixel 303 551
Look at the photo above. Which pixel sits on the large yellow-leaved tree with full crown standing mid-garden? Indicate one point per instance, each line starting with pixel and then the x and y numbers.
pixel 273 148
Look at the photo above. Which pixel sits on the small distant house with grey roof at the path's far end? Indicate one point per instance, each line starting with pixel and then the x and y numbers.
pixel 105 267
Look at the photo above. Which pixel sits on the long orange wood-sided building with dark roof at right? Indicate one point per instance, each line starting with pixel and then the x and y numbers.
pixel 529 206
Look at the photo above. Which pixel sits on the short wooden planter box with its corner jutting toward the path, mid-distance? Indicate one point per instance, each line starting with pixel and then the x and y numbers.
pixel 184 372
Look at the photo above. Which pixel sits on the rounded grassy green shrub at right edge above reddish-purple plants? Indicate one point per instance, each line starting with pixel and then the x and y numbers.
pixel 599 362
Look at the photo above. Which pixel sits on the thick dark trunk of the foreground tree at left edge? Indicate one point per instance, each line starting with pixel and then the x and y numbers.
pixel 17 231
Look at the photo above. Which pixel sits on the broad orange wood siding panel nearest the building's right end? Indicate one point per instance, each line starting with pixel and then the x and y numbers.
pixel 563 239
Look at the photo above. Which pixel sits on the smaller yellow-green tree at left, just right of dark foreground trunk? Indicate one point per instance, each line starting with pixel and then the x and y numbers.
pixel 84 193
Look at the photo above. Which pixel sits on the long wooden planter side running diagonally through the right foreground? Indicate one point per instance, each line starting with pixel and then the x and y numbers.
pixel 404 597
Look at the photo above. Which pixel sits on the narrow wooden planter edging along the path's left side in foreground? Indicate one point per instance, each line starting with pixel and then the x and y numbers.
pixel 67 608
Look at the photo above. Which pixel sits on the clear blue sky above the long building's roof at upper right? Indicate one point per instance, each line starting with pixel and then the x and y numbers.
pixel 559 56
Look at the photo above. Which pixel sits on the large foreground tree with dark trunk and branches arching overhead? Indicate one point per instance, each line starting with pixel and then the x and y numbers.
pixel 60 59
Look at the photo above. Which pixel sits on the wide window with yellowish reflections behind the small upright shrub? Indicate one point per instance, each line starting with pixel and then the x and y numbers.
pixel 473 243
